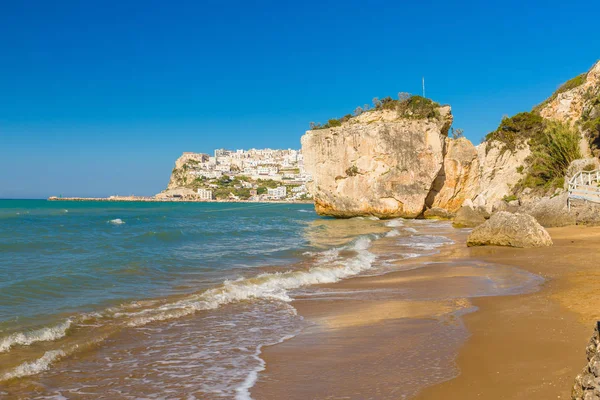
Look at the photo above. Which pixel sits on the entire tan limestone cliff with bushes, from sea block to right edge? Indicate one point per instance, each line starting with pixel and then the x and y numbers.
pixel 388 163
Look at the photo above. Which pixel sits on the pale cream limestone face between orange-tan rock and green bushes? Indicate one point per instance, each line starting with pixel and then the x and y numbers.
pixel 500 170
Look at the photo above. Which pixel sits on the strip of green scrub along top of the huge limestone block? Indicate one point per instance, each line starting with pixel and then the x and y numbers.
pixel 406 106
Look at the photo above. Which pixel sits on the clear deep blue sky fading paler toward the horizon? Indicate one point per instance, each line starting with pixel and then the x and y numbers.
pixel 101 97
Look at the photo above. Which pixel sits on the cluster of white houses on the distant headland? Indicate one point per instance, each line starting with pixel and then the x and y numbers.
pixel 285 166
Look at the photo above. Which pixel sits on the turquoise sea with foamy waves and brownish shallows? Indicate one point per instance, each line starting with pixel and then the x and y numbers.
pixel 175 300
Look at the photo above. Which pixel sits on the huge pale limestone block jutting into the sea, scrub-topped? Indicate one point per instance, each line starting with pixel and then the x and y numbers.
pixel 376 164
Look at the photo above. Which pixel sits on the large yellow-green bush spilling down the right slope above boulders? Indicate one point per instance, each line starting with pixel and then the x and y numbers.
pixel 552 152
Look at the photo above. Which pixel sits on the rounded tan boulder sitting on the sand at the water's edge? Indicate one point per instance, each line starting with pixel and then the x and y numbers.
pixel 506 229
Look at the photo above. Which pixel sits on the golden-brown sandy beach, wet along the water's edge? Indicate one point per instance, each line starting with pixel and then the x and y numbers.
pixel 384 347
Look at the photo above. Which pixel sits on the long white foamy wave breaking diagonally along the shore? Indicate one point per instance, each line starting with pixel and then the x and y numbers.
pixel 329 266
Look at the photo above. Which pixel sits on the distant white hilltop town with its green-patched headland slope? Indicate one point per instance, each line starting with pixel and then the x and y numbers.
pixel 251 175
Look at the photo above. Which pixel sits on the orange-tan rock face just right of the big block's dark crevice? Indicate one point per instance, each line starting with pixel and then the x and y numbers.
pixel 459 179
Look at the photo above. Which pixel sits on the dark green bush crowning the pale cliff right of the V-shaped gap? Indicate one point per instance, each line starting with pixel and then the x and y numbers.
pixel 517 129
